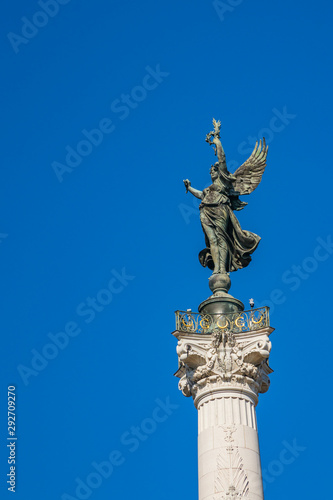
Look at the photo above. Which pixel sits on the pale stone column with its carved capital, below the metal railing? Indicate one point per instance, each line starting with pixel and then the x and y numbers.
pixel 224 372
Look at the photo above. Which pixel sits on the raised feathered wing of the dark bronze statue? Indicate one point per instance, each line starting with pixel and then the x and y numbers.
pixel 248 175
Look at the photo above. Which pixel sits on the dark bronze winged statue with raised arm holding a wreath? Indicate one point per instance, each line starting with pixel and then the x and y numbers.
pixel 228 246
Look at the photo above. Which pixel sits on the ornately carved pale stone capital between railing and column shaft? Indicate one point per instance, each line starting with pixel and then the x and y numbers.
pixel 222 357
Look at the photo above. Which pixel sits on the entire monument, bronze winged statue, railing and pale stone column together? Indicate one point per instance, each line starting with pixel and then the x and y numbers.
pixel 223 350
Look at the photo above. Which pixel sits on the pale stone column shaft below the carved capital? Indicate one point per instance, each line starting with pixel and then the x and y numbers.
pixel 228 447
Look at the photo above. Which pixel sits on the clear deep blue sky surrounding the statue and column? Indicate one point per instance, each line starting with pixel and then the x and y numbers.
pixel 105 107
